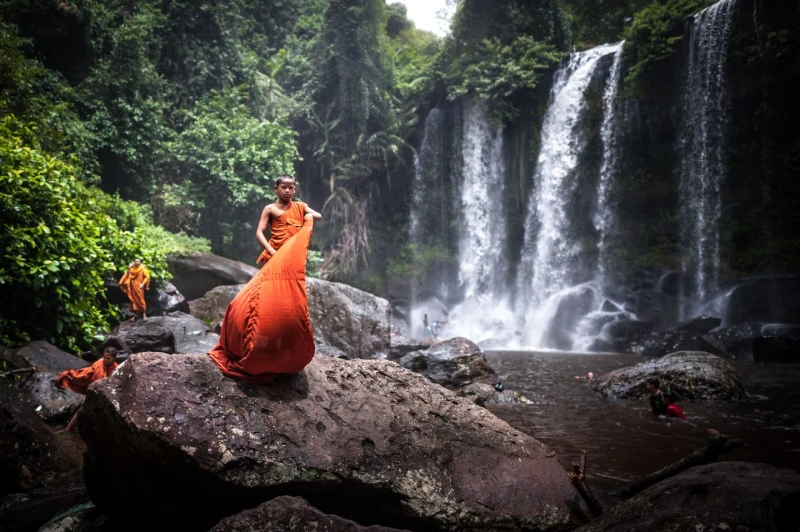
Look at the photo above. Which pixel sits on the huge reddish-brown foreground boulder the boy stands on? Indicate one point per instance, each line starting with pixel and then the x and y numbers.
pixel 362 439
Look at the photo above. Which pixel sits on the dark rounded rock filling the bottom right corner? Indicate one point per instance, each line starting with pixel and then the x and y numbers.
pixel 723 496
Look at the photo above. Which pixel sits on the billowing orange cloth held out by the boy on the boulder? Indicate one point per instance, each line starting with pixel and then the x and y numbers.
pixel 267 329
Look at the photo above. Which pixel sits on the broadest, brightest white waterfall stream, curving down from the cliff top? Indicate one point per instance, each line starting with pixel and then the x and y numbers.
pixel 551 259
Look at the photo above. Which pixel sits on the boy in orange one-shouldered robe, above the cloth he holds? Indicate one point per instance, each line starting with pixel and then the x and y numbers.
pixel 284 217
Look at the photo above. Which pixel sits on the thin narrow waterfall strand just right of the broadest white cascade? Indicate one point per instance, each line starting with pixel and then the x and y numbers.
pixel 604 218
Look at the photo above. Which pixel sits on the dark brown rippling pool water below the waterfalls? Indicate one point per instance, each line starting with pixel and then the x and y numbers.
pixel 622 439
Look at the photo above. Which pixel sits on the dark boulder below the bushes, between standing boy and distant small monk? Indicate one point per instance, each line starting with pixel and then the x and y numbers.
pixel 196 274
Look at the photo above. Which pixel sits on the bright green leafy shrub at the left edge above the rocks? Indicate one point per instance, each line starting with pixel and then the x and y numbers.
pixel 60 243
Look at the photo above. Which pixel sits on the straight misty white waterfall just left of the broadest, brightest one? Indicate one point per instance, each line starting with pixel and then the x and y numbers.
pixel 483 229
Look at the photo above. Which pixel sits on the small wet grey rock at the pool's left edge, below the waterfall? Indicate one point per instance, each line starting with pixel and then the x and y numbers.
pixel 453 363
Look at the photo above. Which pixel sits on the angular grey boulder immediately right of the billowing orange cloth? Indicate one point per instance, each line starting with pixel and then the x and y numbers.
pixel 353 322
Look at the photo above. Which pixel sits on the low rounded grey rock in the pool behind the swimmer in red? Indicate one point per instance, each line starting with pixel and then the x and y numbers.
pixel 693 375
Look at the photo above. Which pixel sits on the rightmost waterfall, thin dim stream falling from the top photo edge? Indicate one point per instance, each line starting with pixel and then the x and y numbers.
pixel 702 142
